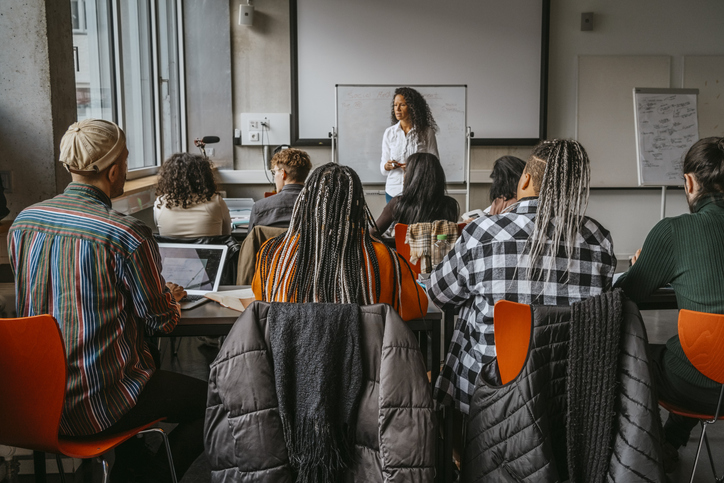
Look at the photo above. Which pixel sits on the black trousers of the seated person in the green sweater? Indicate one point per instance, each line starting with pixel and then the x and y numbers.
pixel 672 388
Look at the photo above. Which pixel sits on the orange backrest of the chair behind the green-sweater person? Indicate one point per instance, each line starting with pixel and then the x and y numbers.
pixel 702 338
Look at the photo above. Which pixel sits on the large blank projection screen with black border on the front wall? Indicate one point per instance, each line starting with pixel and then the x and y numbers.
pixel 494 47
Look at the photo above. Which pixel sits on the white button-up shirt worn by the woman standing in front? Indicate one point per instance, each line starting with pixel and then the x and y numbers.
pixel 397 146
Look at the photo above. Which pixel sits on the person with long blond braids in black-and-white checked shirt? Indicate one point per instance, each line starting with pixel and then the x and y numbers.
pixel 543 250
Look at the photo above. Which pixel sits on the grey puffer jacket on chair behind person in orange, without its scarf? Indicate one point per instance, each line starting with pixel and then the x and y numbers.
pixel 395 439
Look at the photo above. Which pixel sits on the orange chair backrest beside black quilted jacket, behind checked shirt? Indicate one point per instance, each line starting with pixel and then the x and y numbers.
pixel 512 327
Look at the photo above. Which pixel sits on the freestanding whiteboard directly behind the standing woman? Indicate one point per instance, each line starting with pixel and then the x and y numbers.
pixel 363 114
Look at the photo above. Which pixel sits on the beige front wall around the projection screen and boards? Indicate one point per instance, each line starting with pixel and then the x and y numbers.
pixel 261 80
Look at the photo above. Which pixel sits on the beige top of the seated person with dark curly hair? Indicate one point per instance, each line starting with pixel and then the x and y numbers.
pixel 210 218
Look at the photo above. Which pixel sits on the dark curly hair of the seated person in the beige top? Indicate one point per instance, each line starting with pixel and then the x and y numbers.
pixel 186 179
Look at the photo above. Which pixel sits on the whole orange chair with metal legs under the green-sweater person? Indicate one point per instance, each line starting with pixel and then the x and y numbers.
pixel 702 338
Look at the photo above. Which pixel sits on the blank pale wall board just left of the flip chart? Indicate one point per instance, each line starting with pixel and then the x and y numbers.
pixel 605 120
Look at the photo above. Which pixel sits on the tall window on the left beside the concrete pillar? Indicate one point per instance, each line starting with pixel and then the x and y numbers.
pixel 127 71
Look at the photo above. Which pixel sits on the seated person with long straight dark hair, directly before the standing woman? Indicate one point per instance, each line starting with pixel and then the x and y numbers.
pixel 423 198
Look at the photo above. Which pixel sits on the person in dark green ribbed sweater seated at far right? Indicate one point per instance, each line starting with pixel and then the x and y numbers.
pixel 687 252
